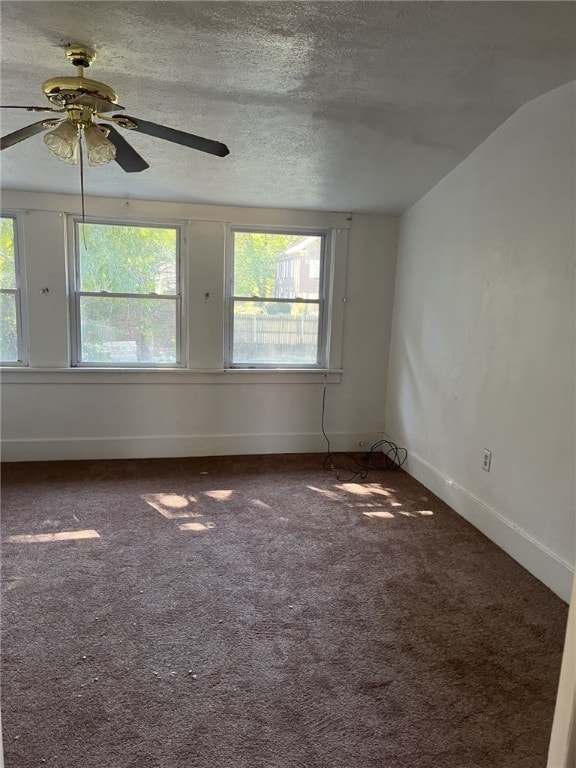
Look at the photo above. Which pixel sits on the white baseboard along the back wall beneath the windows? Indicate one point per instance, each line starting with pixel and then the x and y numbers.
pixel 167 446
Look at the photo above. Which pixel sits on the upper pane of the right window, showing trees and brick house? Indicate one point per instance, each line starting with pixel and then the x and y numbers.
pixel 277 266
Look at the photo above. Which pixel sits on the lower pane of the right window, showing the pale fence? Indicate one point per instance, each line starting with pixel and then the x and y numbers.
pixel 275 332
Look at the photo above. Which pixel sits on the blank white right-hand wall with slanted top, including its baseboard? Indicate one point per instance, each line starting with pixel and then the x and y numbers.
pixel 483 341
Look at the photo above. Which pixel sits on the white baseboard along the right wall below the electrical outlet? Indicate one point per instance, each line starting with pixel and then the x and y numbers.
pixel 541 562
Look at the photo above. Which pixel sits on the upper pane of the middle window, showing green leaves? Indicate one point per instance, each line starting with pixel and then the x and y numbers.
pixel 122 259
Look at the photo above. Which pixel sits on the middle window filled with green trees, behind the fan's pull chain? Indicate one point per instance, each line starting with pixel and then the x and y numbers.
pixel 127 297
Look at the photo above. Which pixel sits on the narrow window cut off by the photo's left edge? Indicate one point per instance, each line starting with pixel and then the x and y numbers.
pixel 11 335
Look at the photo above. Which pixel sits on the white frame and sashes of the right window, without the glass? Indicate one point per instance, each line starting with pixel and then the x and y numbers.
pixel 324 300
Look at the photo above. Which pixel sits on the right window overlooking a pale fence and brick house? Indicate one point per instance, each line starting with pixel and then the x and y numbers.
pixel 277 302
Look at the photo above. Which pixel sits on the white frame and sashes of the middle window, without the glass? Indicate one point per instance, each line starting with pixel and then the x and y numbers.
pixel 75 292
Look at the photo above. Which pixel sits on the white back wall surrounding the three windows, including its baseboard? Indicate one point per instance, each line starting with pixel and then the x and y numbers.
pixel 52 412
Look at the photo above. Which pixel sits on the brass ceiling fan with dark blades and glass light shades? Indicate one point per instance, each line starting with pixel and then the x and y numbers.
pixel 79 102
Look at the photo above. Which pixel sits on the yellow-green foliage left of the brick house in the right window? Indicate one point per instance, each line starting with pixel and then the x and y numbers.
pixel 255 256
